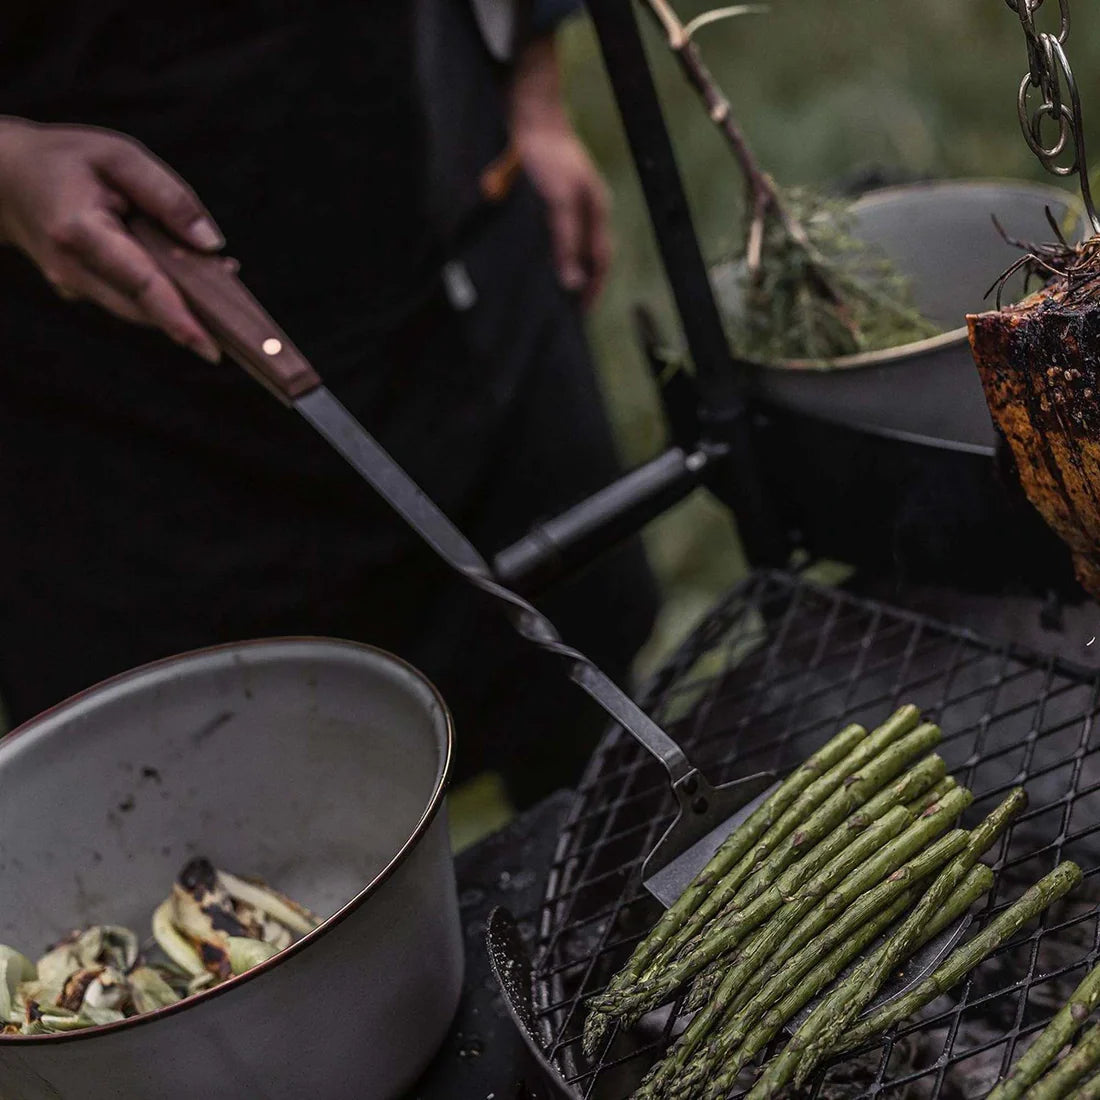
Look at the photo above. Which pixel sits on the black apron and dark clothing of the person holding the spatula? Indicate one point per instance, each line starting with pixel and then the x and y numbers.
pixel 152 503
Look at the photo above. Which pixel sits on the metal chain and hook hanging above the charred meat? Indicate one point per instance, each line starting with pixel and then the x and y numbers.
pixel 1051 80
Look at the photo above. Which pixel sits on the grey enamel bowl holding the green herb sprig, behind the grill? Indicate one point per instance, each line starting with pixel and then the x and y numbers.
pixel 939 235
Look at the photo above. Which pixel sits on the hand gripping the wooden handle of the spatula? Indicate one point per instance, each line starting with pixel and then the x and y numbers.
pixel 64 192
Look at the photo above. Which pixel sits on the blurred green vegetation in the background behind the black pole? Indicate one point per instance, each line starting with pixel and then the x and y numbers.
pixel 828 93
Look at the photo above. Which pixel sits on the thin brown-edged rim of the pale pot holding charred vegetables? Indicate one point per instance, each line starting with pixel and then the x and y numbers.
pixel 435 802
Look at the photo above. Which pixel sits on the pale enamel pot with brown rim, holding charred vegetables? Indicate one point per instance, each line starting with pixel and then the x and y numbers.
pixel 318 766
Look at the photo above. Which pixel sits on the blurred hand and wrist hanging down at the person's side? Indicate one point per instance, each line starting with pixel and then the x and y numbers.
pixel 563 172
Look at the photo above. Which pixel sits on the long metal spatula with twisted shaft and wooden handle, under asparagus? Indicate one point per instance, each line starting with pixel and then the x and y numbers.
pixel 246 332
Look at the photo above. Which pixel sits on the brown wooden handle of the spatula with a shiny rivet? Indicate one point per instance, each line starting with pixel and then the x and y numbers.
pixel 223 303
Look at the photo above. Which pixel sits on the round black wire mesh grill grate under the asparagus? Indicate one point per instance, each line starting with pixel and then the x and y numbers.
pixel 775 669
